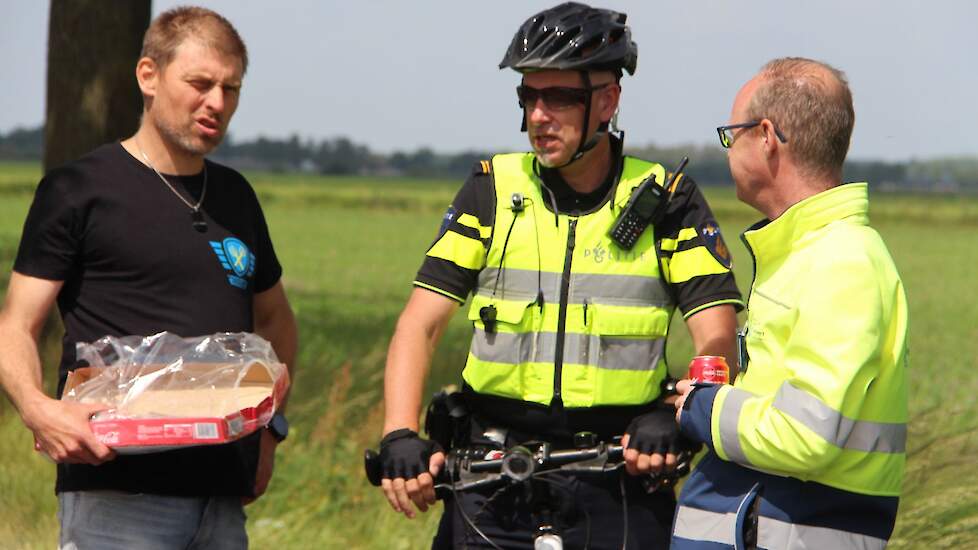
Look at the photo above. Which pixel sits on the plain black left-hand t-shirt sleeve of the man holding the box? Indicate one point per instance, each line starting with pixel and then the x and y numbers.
pixel 49 245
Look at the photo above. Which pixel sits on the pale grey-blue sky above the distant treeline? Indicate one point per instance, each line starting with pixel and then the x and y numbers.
pixel 397 75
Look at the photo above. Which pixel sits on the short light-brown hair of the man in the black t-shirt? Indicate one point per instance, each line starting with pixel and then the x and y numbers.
pixel 172 27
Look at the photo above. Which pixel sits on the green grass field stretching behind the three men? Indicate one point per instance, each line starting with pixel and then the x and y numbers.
pixel 350 248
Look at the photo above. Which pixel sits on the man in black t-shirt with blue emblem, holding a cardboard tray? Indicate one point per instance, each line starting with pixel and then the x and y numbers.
pixel 140 237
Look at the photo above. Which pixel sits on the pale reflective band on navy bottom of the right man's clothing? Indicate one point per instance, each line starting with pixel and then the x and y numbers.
pixel 704 525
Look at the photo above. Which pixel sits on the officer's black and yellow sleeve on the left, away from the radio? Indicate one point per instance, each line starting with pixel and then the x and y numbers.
pixel 454 259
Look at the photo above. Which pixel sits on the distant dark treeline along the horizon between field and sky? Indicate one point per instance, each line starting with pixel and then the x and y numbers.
pixel 342 156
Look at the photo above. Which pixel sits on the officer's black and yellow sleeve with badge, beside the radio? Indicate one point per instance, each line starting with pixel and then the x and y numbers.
pixel 695 259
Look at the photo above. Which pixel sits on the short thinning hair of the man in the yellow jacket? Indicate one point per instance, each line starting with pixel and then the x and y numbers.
pixel 810 102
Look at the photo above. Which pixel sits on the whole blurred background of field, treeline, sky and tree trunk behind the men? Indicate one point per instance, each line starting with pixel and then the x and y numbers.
pixel 359 121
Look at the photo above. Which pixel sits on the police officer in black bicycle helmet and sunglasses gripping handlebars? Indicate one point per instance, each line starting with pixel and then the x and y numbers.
pixel 569 326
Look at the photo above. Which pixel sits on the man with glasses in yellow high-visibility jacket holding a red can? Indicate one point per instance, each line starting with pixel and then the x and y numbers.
pixel 807 447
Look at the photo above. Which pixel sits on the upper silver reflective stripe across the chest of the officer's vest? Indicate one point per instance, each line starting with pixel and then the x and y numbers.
pixel 603 288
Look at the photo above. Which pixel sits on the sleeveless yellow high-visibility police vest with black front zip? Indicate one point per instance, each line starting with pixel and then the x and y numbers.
pixel 576 317
